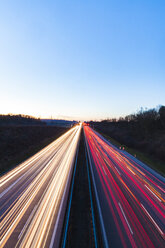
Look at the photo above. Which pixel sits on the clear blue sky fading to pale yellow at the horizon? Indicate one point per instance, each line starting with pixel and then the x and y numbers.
pixel 81 60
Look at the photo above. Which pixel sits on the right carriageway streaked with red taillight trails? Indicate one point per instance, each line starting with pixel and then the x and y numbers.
pixel 129 195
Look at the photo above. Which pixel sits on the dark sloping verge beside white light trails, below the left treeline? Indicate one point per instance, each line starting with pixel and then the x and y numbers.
pixel 18 145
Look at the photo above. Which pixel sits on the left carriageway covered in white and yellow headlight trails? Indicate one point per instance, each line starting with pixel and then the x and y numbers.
pixel 33 196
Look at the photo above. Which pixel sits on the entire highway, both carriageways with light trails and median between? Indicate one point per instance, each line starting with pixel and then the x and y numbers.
pixel 115 200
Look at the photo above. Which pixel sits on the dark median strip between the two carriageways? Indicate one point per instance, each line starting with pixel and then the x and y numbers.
pixel 80 230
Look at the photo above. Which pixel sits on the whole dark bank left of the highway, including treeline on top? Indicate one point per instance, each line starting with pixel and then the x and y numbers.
pixel 21 137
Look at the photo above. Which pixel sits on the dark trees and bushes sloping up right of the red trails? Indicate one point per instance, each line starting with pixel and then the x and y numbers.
pixel 144 130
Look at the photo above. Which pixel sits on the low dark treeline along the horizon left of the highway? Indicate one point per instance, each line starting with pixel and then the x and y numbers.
pixel 11 119
